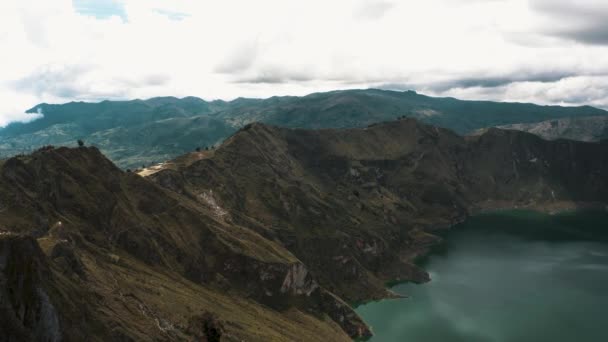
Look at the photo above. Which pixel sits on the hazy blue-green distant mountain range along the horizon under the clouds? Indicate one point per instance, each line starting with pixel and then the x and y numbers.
pixel 136 133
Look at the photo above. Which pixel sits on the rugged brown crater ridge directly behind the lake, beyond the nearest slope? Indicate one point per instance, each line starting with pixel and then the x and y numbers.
pixel 346 202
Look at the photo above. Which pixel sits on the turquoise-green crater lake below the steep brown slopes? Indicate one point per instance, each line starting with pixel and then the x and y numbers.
pixel 507 277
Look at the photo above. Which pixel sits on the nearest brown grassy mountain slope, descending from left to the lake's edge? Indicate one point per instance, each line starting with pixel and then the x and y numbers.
pixel 89 252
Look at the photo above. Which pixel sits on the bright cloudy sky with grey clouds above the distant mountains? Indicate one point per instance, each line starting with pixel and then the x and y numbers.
pixel 541 51
